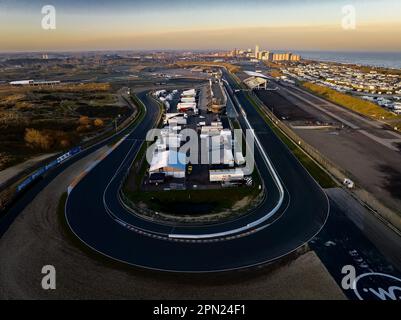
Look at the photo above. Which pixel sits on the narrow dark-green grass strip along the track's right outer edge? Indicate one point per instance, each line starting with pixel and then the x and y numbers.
pixel 311 166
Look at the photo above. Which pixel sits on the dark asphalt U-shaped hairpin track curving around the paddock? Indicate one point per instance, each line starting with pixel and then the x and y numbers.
pixel 97 217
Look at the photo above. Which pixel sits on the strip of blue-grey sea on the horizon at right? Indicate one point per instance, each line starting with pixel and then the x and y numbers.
pixel 390 60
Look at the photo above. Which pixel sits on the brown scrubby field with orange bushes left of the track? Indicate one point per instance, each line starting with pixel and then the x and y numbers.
pixel 37 120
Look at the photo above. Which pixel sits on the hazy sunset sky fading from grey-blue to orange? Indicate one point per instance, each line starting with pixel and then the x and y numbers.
pixel 202 24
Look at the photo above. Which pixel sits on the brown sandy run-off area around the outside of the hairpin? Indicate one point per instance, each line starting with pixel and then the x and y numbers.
pixel 36 239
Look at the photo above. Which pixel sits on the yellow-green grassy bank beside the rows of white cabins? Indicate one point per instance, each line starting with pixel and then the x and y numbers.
pixel 355 104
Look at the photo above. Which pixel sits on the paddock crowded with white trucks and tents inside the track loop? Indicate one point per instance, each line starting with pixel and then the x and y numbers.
pixel 216 165
